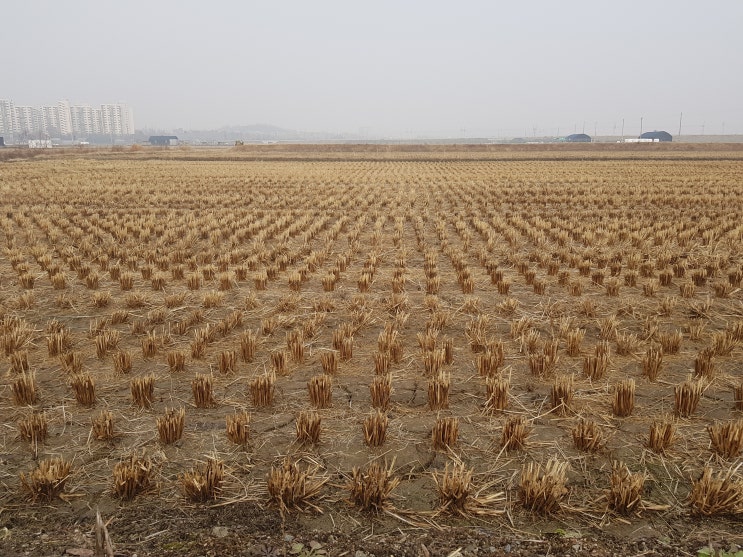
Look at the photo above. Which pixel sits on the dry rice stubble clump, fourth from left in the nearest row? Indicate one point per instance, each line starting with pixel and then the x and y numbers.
pixel 290 487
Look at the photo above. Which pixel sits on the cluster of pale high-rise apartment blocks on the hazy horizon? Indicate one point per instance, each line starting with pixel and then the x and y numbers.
pixel 64 120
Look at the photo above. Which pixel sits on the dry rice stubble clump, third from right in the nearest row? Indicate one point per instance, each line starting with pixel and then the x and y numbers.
pixel 542 493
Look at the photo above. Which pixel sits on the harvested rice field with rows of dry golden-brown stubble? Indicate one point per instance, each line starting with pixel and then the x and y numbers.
pixel 372 349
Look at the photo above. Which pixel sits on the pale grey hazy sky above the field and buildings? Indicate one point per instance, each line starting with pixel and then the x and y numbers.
pixel 386 67
